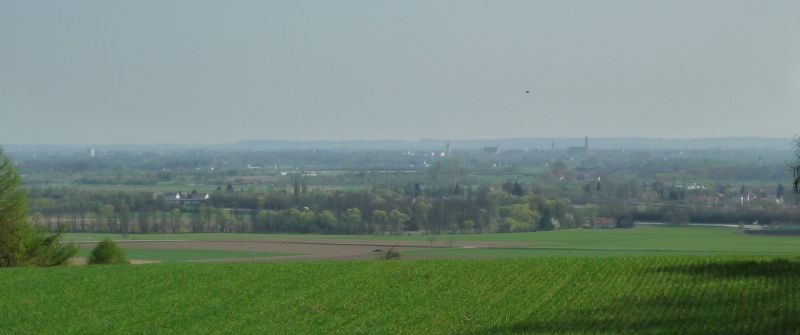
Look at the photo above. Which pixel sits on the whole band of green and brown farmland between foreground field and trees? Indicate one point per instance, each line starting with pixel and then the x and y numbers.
pixel 642 240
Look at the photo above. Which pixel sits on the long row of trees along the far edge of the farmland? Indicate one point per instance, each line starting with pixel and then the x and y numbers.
pixel 436 209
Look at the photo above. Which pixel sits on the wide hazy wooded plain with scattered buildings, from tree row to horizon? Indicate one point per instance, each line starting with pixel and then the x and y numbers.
pixel 401 192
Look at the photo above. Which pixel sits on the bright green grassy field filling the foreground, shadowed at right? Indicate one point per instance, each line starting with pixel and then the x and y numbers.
pixel 653 295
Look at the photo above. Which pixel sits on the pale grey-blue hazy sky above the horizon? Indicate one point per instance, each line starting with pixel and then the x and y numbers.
pixel 79 72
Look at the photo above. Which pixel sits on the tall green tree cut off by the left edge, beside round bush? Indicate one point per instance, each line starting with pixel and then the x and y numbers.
pixel 20 243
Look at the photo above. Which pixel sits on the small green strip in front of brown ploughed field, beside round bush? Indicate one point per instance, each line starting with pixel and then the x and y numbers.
pixel 187 255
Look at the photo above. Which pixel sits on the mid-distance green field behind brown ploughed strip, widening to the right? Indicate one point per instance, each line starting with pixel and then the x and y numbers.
pixel 642 239
